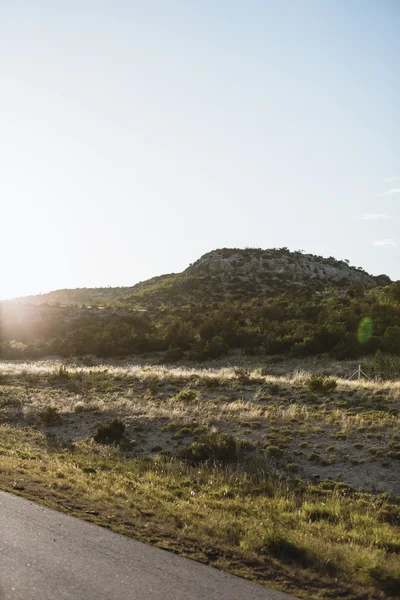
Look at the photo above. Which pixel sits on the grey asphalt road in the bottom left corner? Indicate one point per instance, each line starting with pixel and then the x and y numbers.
pixel 47 555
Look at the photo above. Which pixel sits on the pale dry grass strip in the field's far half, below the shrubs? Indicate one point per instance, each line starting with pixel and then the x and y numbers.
pixel 359 418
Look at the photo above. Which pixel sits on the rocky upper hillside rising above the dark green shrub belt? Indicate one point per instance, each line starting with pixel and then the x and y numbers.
pixel 223 275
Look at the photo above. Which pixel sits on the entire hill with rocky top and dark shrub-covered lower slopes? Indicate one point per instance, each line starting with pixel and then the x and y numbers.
pixel 229 302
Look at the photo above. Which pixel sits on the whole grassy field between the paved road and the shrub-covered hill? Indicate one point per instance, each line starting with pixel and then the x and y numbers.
pixel 289 481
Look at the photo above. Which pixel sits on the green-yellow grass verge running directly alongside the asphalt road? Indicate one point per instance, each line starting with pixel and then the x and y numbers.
pixel 316 541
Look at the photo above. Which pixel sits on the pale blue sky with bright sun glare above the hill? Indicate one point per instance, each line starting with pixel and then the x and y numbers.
pixel 136 136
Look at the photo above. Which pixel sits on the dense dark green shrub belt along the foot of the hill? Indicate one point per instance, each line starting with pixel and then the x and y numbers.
pixel 349 324
